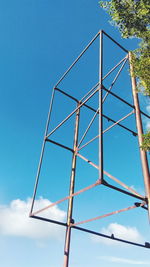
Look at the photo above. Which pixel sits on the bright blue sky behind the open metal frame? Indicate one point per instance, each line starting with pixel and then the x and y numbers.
pixel 39 41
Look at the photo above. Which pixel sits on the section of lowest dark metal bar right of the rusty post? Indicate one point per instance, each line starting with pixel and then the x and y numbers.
pixel 112 237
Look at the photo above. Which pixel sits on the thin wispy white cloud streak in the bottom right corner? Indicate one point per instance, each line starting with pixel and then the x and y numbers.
pixel 125 261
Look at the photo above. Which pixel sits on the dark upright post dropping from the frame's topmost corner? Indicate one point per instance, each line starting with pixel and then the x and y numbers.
pixel 101 108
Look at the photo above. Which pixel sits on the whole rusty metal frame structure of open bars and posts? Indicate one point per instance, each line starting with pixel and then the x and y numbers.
pixel 144 201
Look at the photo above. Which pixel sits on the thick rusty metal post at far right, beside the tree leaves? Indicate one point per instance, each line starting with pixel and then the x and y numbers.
pixel 143 154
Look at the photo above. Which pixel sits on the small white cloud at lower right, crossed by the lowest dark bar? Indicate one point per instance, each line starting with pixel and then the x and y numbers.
pixel 119 231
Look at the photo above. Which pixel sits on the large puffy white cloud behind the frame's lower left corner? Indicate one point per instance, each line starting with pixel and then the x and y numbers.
pixel 15 220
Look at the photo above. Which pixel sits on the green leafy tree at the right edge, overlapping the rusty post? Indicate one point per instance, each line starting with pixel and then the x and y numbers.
pixel 132 17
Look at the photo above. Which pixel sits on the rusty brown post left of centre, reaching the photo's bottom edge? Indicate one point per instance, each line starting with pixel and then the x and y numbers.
pixel 72 184
